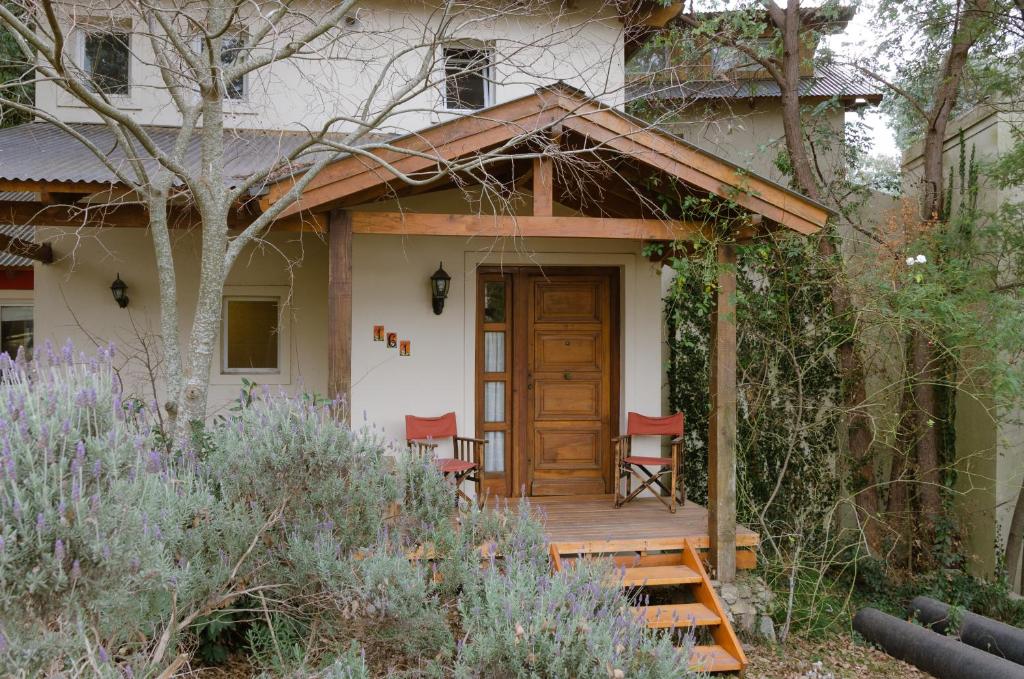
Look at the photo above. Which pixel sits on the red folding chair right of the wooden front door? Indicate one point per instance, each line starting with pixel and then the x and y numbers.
pixel 629 465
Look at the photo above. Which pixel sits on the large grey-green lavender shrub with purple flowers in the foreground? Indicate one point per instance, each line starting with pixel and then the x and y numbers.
pixel 273 535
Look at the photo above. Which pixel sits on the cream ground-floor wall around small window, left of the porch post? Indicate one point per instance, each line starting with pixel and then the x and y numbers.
pixel 73 302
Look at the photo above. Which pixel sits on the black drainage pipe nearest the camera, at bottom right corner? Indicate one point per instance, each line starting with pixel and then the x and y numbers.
pixel 943 657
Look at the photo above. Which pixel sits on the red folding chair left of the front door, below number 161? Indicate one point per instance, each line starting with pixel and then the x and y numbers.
pixel 422 435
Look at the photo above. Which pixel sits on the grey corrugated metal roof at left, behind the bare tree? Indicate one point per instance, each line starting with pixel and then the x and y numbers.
pixel 40 152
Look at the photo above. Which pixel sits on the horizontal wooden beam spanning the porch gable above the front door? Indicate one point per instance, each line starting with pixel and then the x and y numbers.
pixel 400 224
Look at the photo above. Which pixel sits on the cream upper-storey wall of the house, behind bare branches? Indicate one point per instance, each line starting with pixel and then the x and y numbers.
pixel 581 46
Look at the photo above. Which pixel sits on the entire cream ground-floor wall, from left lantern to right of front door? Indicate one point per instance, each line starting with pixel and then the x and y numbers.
pixel 391 288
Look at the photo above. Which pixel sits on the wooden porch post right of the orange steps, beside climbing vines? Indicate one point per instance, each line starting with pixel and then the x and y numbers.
pixel 722 423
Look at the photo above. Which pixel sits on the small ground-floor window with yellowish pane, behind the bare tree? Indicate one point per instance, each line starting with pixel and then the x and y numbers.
pixel 251 335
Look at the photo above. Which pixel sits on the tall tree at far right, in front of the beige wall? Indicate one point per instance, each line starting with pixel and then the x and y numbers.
pixel 949 43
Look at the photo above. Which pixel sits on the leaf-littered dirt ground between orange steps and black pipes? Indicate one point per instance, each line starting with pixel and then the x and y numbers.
pixel 833 659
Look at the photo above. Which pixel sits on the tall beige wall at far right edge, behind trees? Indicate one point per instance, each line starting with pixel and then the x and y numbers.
pixel 990 439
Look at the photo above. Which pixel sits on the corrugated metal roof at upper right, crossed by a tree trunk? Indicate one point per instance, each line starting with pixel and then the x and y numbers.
pixel 828 82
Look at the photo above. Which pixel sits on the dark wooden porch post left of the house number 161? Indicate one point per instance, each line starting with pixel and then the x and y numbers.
pixel 339 314
